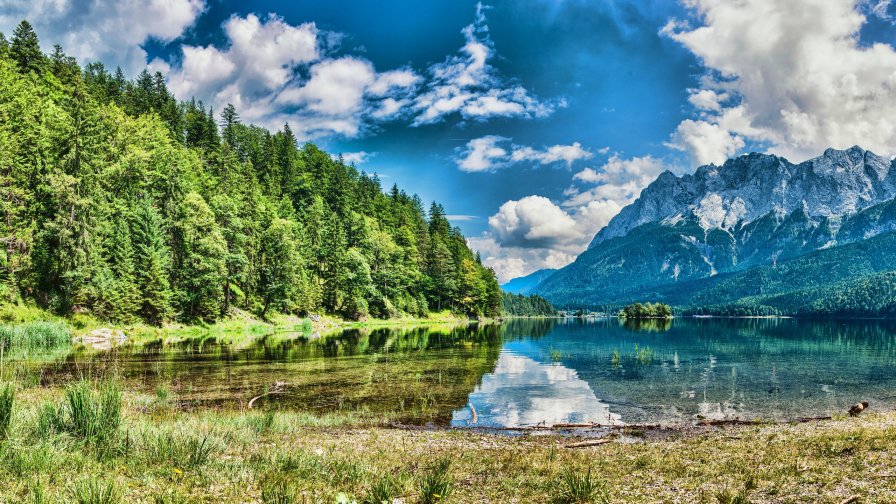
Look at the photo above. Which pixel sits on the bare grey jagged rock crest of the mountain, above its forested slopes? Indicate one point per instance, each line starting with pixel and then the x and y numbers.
pixel 748 187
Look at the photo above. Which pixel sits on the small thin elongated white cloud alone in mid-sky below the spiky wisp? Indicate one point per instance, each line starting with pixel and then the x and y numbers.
pixel 492 152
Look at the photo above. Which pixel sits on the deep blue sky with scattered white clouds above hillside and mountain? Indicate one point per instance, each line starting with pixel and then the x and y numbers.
pixel 532 121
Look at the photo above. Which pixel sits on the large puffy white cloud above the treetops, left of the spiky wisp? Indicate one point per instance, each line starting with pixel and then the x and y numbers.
pixel 274 72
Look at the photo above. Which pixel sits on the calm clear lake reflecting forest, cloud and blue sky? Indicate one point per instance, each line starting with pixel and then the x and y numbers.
pixel 525 372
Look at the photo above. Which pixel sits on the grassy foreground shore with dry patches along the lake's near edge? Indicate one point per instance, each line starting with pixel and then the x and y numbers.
pixel 174 456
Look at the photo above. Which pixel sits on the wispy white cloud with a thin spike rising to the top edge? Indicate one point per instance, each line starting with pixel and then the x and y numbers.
pixel 466 84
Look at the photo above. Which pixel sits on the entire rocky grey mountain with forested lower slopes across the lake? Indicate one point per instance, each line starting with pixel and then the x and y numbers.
pixel 758 234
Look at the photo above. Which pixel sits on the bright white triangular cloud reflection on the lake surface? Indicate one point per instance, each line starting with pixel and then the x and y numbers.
pixel 524 392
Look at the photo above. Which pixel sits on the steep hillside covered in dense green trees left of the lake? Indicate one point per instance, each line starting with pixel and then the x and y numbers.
pixel 121 201
